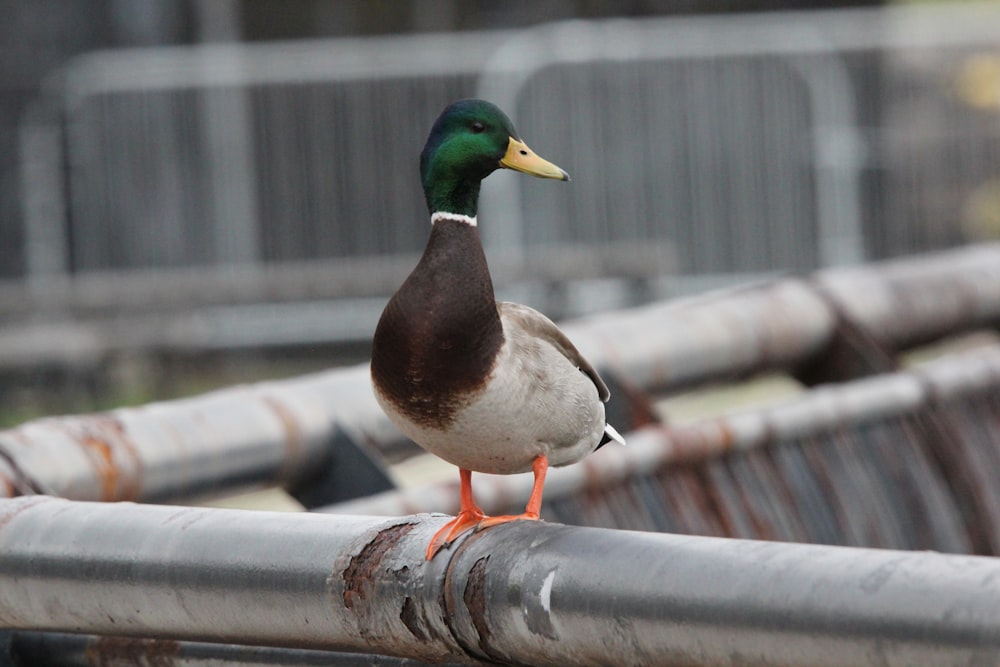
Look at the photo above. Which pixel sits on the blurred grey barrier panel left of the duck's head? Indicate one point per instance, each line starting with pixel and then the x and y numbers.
pixel 240 153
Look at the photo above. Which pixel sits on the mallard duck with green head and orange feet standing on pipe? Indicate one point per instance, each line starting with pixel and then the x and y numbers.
pixel 489 386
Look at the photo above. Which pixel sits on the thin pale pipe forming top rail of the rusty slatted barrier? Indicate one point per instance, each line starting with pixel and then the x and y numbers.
pixel 649 449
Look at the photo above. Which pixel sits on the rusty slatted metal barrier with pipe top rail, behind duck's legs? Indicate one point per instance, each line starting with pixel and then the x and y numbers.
pixel 893 461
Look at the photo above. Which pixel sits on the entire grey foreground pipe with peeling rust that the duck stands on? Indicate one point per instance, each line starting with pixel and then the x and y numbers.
pixel 528 593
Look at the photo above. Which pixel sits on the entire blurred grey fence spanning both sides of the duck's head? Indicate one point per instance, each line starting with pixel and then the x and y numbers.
pixel 746 143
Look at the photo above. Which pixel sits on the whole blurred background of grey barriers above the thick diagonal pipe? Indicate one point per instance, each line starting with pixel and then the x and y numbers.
pixel 194 193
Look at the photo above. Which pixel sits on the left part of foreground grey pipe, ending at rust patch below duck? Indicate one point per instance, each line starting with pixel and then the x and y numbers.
pixel 300 580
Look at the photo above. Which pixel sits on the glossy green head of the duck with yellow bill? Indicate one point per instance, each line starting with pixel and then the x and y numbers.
pixel 469 141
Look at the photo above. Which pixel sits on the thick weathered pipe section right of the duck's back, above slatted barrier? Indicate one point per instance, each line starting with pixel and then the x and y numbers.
pixel 782 324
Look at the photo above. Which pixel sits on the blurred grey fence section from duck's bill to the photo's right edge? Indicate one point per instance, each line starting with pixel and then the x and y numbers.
pixel 794 140
